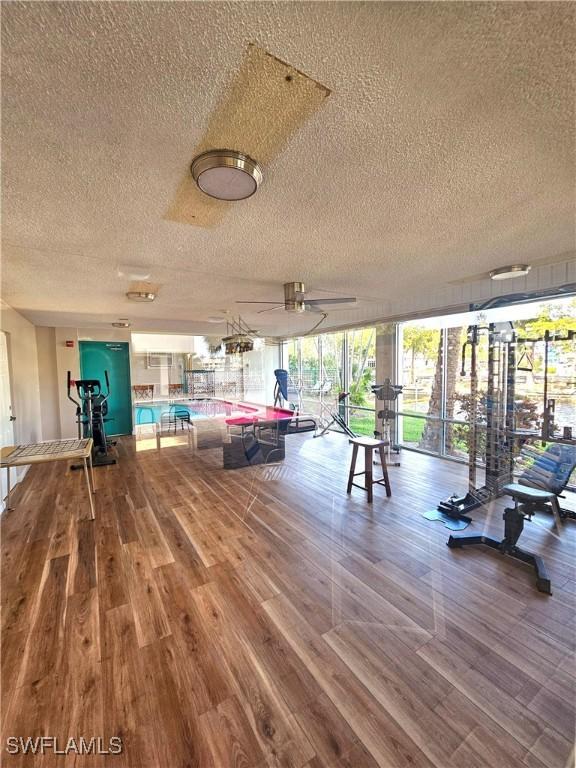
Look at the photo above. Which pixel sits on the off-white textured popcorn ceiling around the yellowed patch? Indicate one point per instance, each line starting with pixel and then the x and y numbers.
pixel 446 148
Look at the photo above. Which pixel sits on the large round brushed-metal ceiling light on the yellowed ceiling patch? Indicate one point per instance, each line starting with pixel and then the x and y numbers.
pixel 226 174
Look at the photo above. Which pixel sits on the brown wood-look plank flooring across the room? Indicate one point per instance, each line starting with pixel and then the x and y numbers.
pixel 260 617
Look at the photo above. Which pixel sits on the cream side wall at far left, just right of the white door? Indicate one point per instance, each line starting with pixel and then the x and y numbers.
pixel 23 360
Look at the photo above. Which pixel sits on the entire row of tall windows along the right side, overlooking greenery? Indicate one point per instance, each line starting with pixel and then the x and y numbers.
pixel 437 404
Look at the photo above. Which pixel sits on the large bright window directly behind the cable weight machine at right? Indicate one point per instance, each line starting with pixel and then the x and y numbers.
pixel 437 404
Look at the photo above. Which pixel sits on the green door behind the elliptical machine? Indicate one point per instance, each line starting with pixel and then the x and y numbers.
pixel 114 357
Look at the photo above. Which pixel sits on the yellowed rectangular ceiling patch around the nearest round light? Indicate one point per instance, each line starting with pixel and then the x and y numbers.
pixel 266 102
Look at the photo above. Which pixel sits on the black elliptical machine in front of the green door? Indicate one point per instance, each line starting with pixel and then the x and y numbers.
pixel 91 414
